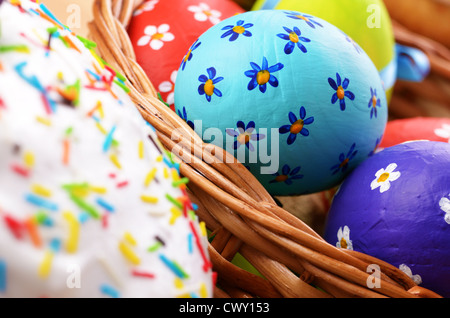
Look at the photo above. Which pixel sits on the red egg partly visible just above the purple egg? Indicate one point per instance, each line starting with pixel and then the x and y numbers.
pixel 417 128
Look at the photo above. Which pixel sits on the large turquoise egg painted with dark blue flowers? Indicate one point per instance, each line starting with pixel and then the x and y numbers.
pixel 292 99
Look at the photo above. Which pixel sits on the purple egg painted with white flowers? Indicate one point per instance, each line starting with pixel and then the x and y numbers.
pixel 395 206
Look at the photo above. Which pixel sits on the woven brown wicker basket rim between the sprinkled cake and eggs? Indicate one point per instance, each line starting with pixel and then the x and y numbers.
pixel 293 260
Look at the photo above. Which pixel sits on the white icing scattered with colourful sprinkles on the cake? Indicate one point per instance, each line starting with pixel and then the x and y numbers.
pixel 26 128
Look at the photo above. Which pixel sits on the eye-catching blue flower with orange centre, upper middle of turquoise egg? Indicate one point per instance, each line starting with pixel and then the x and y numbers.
pixel 261 75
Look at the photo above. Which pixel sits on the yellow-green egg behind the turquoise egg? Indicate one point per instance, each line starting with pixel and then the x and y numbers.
pixel 366 22
